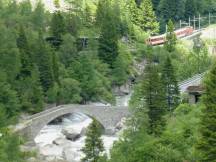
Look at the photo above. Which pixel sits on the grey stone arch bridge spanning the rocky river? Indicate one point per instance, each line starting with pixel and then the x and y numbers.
pixel 108 116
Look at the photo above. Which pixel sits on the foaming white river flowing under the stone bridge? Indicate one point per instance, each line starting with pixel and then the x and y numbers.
pixel 53 145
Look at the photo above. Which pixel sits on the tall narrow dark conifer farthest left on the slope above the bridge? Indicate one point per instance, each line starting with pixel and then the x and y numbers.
pixel 28 84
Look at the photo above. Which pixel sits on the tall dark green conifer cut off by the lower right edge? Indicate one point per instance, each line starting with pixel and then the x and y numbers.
pixel 206 144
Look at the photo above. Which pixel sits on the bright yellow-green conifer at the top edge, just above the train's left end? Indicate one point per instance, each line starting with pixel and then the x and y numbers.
pixel 148 18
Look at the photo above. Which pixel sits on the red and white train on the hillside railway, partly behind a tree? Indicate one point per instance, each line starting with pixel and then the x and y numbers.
pixel 161 39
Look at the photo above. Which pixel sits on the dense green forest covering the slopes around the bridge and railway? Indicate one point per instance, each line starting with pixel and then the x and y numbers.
pixel 80 54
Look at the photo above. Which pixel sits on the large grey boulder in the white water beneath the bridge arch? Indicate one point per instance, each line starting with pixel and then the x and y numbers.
pixel 71 133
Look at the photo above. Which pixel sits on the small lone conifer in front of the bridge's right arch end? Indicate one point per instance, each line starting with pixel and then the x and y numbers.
pixel 93 144
